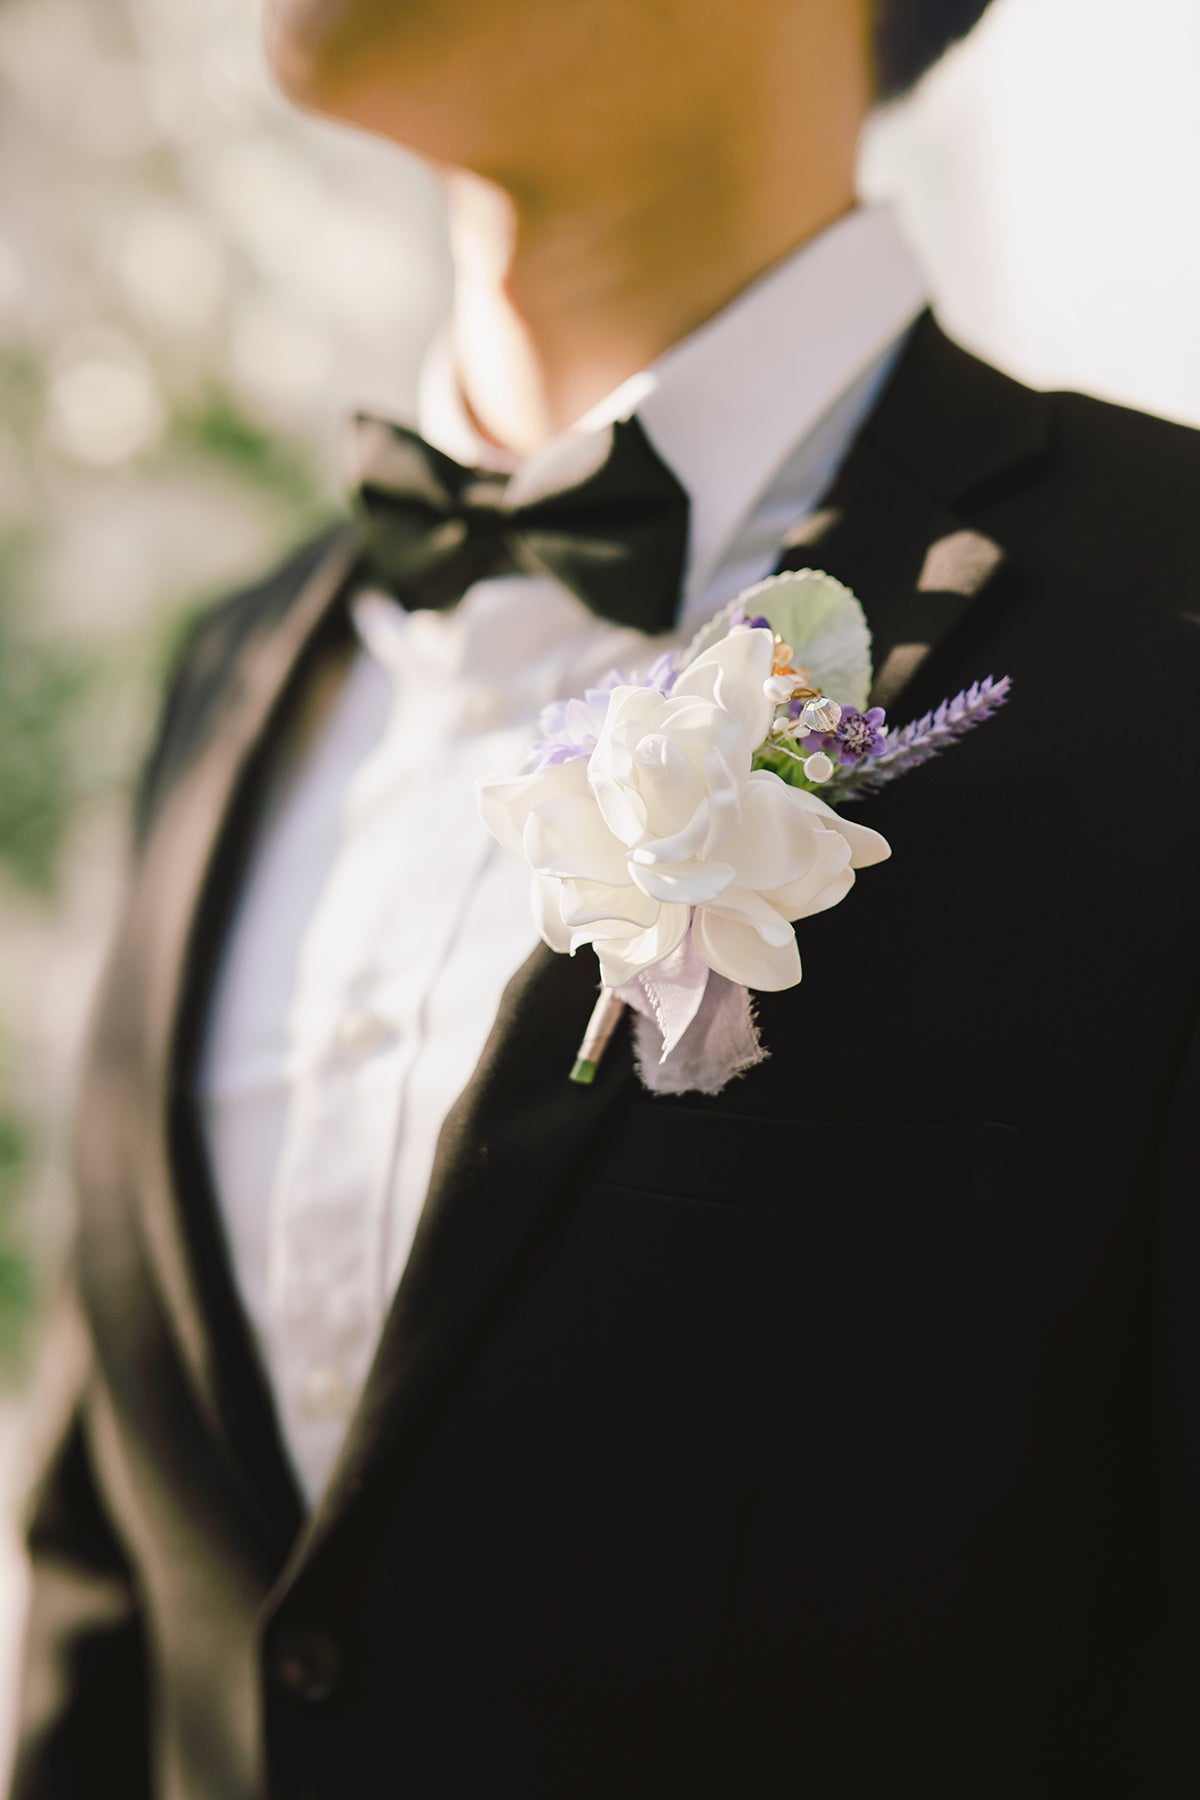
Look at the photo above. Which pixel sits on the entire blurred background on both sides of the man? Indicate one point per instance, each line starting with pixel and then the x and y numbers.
pixel 197 283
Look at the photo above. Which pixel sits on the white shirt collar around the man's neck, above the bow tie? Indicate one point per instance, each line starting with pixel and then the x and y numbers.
pixel 730 404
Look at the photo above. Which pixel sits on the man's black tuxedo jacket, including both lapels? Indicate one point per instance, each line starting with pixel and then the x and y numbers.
pixel 837 1437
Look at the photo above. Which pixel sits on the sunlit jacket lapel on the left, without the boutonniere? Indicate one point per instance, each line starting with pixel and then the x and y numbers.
pixel 156 1007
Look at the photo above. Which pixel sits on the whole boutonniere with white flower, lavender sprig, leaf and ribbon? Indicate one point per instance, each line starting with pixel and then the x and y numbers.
pixel 683 823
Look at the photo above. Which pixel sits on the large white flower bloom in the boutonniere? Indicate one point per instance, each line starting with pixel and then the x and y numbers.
pixel 665 825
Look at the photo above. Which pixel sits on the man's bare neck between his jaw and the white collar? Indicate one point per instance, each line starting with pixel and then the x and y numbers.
pixel 564 296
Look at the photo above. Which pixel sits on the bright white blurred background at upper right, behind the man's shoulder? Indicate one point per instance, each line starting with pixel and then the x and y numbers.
pixel 1050 174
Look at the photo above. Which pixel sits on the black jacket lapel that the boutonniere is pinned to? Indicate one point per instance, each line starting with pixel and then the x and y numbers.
pixel 523 1131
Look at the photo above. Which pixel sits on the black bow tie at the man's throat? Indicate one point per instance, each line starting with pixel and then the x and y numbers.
pixel 600 512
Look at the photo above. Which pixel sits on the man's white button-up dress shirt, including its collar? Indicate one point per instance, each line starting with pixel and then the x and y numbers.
pixel 379 922
